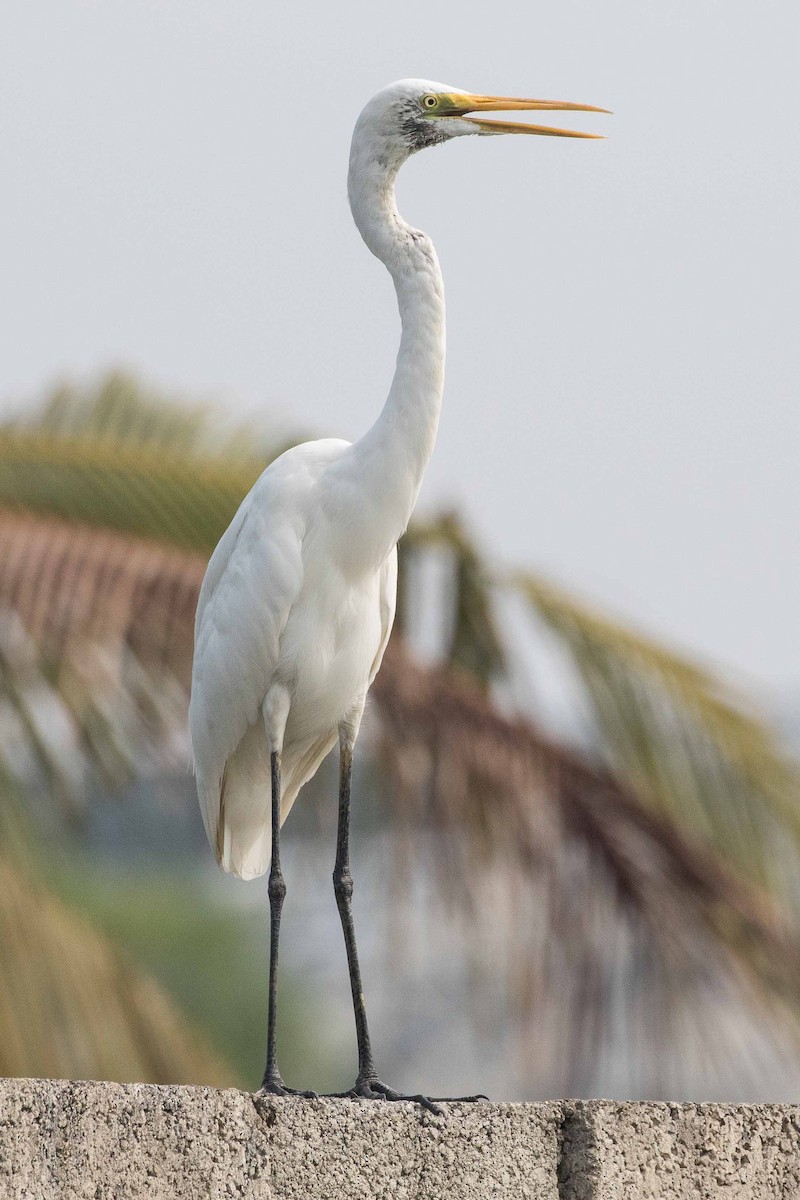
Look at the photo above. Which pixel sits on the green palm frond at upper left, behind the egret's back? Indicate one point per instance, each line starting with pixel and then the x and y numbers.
pixel 123 459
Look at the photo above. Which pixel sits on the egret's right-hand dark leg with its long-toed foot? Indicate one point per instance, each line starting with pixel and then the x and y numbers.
pixel 368 1087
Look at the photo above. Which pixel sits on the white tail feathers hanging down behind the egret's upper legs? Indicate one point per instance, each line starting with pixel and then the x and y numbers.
pixel 237 813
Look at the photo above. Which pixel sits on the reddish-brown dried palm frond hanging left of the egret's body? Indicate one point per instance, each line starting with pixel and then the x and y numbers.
pixel 95 652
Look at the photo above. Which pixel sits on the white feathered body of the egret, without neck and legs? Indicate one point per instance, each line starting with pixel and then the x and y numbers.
pixel 285 604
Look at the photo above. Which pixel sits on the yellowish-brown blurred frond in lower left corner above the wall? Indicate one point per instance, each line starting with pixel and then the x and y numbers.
pixel 71 1005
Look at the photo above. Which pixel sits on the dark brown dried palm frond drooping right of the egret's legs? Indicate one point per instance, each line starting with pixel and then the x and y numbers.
pixel 596 910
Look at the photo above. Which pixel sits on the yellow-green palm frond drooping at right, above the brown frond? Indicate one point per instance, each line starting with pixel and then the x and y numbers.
pixel 682 739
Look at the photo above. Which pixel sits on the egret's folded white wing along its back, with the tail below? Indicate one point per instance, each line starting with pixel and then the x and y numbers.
pixel 255 578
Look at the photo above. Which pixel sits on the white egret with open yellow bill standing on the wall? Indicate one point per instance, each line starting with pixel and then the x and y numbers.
pixel 298 603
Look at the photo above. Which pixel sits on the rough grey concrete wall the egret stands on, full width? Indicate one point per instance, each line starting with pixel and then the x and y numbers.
pixel 110 1142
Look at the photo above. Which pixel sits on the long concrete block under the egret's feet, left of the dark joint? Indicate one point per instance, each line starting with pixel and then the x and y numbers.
pixel 112 1142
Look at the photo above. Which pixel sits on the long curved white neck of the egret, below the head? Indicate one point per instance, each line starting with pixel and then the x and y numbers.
pixel 392 458
